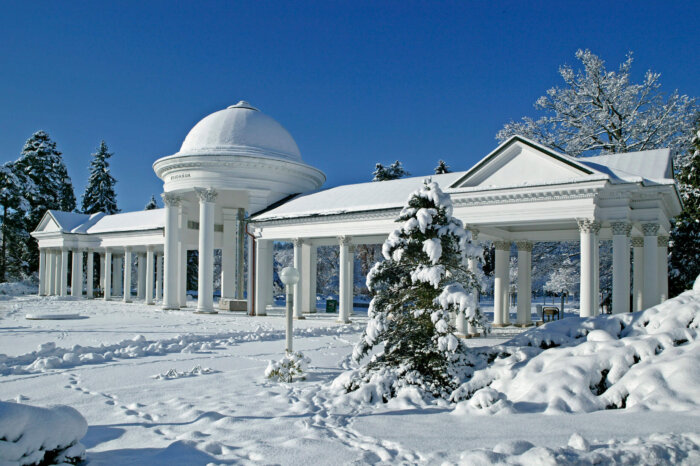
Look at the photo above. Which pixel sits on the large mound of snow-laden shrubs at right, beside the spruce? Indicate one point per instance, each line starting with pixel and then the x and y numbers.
pixel 643 360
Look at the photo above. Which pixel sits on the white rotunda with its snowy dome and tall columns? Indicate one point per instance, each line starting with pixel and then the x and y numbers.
pixel 233 161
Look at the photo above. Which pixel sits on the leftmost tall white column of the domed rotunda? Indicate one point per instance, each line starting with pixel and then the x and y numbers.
pixel 171 252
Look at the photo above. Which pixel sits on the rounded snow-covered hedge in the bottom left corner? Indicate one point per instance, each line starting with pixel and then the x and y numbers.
pixel 33 435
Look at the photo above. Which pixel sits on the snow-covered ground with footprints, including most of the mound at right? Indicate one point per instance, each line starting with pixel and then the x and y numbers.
pixel 175 387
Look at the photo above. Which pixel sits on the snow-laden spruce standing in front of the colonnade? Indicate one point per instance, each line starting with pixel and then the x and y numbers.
pixel 414 290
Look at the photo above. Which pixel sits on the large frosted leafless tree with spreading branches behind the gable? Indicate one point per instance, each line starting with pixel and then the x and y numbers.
pixel 600 111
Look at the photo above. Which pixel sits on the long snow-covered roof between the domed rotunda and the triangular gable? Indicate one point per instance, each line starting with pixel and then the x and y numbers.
pixel 354 197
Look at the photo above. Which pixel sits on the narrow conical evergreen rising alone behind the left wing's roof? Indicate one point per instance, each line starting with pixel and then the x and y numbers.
pixel 99 193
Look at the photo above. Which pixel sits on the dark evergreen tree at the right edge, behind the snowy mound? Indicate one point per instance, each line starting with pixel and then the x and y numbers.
pixel 685 236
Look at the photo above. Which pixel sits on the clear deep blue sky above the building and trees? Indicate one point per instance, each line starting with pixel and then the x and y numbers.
pixel 354 82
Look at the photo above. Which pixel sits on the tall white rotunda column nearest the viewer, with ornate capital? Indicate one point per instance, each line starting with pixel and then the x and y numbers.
pixel 205 285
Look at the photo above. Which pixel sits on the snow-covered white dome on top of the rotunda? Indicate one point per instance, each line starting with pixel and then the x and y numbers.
pixel 240 129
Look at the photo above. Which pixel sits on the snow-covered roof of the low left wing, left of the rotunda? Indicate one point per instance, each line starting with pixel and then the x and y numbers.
pixel 71 222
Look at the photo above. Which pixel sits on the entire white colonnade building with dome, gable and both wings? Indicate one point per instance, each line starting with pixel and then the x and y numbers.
pixel 239 178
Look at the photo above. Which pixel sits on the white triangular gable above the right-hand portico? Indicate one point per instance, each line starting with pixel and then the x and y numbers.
pixel 519 161
